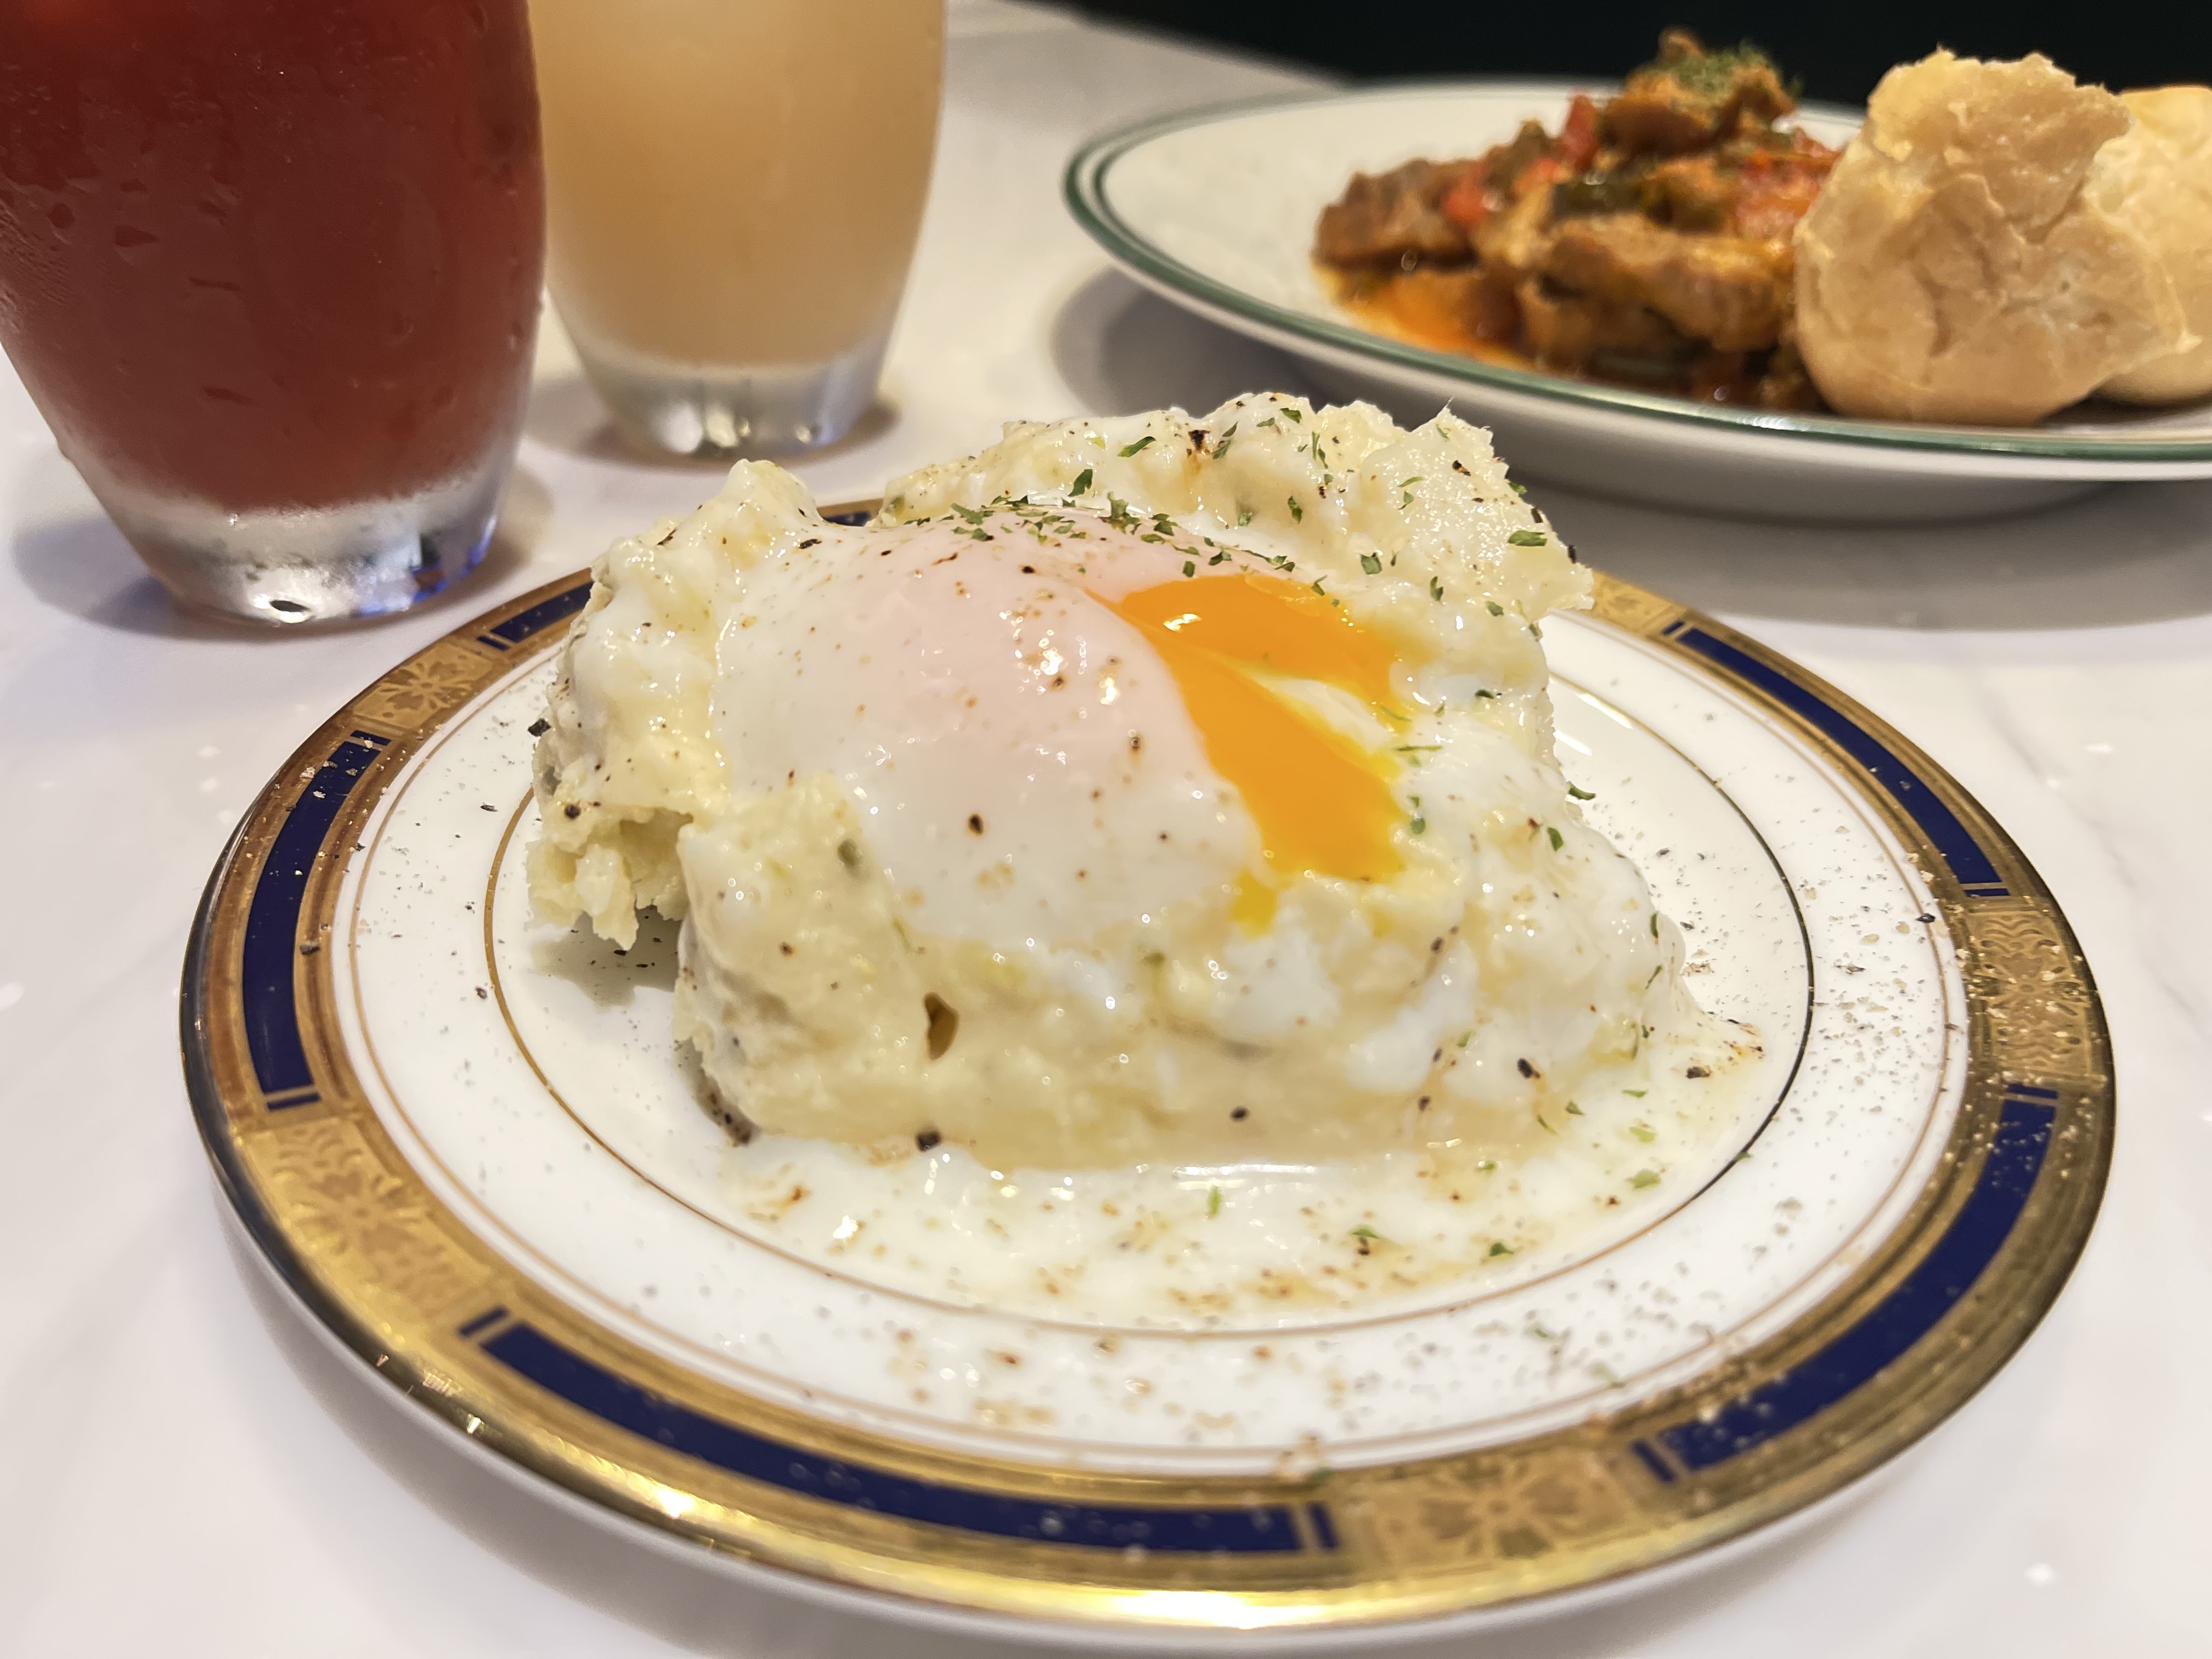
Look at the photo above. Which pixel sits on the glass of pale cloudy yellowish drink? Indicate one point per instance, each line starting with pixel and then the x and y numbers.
pixel 733 194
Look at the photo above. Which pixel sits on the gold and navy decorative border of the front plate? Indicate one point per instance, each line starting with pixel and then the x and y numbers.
pixel 362 1240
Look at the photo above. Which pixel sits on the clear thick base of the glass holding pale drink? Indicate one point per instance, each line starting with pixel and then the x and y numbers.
pixel 716 413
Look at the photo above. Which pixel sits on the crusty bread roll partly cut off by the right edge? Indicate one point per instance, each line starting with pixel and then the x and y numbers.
pixel 2158 178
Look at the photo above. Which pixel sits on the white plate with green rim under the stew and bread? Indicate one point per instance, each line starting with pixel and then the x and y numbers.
pixel 1215 209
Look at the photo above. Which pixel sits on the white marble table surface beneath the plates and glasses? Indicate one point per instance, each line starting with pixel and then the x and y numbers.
pixel 187 1470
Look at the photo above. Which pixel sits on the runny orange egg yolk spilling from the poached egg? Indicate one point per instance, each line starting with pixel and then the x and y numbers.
pixel 1322 802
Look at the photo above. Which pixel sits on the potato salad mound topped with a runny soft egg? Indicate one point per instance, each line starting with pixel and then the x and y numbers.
pixel 1138 791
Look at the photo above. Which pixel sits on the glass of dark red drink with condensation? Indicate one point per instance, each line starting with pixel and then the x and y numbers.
pixel 271 273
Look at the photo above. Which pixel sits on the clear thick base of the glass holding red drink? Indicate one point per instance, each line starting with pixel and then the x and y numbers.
pixel 313 563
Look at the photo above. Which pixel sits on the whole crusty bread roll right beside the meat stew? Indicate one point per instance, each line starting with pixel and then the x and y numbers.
pixel 1954 269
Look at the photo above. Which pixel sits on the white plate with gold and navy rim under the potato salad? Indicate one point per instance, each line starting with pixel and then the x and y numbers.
pixel 468 1147
